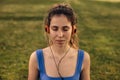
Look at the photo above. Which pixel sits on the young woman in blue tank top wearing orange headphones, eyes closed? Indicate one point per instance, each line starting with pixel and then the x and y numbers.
pixel 62 59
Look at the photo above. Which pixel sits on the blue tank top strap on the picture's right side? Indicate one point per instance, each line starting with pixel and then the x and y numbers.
pixel 80 60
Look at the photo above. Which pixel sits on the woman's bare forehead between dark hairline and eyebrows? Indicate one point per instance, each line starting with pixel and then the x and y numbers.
pixel 60 20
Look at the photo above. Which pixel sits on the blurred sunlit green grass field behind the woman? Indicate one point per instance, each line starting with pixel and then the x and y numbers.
pixel 22 32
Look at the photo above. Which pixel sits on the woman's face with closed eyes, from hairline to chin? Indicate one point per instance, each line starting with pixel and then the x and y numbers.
pixel 60 30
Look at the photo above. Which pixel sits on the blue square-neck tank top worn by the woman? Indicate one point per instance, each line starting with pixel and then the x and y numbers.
pixel 44 76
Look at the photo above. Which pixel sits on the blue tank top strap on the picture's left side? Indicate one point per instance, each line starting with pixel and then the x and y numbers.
pixel 40 60
